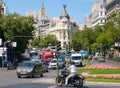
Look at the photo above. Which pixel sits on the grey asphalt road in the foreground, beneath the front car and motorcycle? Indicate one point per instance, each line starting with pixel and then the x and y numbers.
pixel 8 79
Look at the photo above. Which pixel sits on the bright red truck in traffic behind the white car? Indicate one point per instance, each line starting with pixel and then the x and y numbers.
pixel 47 56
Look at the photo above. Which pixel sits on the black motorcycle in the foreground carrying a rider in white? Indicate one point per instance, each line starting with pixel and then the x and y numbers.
pixel 76 81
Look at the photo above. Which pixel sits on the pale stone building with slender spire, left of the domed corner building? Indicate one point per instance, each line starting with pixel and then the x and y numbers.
pixel 42 22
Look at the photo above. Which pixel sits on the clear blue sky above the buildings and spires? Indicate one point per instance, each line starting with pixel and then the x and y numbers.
pixel 78 9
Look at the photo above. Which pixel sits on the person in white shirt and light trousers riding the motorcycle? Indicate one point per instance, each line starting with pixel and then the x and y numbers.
pixel 72 70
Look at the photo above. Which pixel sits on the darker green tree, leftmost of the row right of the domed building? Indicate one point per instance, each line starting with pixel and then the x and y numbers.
pixel 83 39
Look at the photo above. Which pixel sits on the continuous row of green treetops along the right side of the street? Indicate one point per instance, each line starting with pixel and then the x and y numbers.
pixel 99 38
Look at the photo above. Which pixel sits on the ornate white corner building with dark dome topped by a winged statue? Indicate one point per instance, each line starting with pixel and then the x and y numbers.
pixel 63 28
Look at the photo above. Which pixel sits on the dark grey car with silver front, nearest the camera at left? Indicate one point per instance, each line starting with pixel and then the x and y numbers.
pixel 30 68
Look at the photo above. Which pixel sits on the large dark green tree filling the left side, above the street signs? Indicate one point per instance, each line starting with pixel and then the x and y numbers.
pixel 16 28
